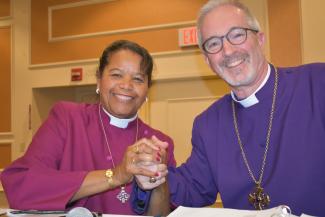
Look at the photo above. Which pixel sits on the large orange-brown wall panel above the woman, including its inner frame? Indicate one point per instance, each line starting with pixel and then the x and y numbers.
pixel 105 16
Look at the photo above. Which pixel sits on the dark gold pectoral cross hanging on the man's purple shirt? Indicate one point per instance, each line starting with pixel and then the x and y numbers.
pixel 258 198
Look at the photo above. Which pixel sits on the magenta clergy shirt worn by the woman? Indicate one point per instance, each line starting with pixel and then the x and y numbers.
pixel 68 145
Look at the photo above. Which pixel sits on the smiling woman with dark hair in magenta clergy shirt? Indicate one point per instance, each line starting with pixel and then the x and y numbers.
pixel 87 154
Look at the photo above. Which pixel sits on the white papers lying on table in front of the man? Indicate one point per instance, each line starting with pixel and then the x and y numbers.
pixel 221 212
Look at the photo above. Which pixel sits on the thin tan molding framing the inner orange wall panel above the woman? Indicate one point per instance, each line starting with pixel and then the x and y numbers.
pixel 112 32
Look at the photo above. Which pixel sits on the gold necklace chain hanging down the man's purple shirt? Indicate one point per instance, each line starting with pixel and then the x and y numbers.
pixel 259 181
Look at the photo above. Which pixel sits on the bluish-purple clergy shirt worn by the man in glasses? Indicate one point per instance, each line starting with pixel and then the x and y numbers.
pixel 295 166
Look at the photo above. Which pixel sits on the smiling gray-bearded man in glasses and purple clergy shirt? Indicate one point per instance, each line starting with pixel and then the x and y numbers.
pixel 263 144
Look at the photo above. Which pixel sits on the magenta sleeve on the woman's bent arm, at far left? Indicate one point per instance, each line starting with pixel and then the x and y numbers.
pixel 36 180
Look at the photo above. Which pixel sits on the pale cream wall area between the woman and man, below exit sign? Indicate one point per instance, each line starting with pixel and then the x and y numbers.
pixel 175 103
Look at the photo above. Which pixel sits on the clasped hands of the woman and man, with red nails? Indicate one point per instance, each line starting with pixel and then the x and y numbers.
pixel 146 161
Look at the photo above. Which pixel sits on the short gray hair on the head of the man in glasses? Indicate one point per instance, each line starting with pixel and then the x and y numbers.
pixel 212 4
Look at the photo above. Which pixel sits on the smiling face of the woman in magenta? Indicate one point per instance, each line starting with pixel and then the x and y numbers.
pixel 123 86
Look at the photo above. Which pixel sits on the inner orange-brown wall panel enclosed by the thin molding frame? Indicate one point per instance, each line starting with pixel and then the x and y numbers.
pixel 111 16
